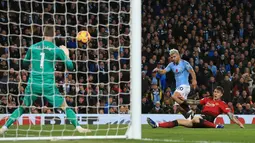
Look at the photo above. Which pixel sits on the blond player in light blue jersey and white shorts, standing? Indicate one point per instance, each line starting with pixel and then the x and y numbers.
pixel 182 69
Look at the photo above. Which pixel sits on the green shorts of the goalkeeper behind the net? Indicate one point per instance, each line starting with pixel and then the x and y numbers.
pixel 50 93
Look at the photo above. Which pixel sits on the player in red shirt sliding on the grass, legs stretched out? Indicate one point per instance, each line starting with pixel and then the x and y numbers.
pixel 212 108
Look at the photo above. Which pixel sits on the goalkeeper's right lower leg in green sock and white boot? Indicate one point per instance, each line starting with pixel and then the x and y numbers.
pixel 71 116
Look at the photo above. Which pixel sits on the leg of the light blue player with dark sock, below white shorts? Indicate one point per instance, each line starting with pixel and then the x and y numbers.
pixel 186 112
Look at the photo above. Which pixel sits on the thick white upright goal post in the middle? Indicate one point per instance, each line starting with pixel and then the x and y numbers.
pixel 136 25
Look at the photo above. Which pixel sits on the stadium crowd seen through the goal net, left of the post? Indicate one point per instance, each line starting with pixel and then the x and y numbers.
pixel 100 81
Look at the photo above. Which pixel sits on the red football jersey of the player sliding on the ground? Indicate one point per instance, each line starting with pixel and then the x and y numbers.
pixel 214 107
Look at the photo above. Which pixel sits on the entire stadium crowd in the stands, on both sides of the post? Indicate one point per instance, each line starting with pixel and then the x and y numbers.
pixel 216 37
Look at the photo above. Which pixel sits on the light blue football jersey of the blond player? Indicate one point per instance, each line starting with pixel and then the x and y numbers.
pixel 181 72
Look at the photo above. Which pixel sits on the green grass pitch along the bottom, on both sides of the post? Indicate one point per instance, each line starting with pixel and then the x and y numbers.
pixel 230 134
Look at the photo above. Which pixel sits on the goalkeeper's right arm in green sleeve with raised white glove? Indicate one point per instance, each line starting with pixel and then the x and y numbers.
pixel 63 54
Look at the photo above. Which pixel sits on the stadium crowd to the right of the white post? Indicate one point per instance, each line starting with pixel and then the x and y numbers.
pixel 217 37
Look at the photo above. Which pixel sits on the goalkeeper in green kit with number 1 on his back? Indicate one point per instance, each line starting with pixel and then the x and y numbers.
pixel 42 57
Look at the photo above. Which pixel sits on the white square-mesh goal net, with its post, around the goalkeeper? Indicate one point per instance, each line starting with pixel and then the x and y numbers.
pixel 99 89
